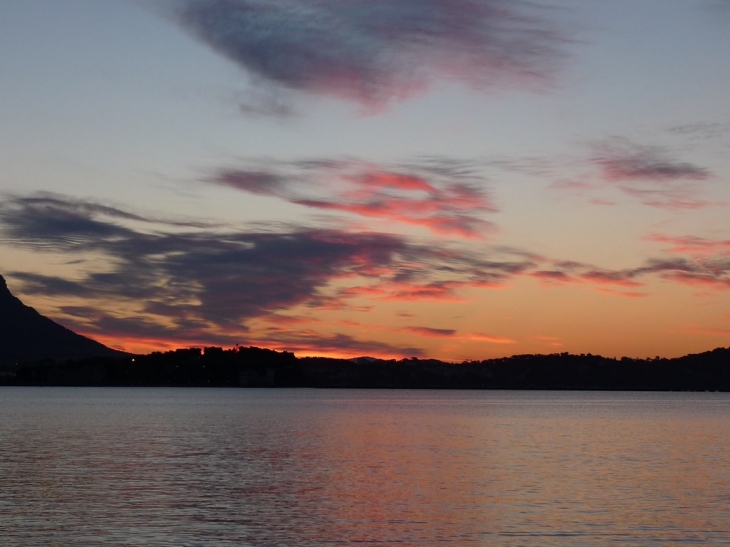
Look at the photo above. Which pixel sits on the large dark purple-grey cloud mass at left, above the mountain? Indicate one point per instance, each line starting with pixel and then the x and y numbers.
pixel 231 276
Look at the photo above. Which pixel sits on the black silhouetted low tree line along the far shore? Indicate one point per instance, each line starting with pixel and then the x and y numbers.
pixel 257 367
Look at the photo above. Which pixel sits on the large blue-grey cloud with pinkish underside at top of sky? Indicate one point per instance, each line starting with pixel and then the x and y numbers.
pixel 372 51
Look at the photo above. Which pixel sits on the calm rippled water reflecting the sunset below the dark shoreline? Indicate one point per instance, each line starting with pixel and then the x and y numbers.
pixel 219 467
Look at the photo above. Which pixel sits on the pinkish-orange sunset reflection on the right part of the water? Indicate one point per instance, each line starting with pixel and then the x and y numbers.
pixel 492 472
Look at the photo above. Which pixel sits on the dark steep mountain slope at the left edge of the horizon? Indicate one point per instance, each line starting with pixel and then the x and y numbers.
pixel 27 336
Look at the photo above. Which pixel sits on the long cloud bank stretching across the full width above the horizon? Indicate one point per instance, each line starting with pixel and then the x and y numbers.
pixel 189 283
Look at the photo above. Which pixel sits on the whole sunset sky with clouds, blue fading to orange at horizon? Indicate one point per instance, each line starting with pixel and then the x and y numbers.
pixel 456 179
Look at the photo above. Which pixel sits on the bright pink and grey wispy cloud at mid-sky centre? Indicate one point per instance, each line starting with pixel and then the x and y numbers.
pixel 444 196
